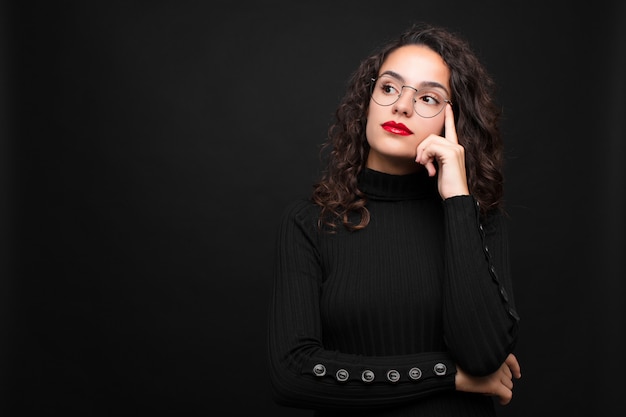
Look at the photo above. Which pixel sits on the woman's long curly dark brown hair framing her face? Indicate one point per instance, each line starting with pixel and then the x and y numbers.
pixel 476 118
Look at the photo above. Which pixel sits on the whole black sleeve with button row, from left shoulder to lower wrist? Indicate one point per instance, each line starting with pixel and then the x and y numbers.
pixel 306 375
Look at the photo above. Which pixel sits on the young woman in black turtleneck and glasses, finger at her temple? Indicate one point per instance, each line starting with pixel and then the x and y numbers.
pixel 392 292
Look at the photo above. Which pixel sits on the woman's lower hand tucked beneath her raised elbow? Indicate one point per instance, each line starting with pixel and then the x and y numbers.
pixel 499 384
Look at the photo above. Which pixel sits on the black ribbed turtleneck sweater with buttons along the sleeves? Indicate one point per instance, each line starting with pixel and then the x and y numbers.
pixel 375 322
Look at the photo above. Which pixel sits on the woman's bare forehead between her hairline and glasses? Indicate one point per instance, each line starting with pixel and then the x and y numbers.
pixel 417 64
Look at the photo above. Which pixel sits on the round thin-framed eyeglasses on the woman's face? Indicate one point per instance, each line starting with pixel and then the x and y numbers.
pixel 427 102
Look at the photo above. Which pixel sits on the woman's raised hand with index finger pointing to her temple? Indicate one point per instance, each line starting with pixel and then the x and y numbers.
pixel 450 157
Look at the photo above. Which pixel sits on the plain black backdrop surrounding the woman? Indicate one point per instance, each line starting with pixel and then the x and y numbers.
pixel 148 148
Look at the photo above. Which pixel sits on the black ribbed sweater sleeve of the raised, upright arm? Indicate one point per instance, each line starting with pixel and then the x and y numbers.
pixel 480 321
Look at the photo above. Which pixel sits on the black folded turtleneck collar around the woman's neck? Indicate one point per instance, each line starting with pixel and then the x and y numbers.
pixel 381 186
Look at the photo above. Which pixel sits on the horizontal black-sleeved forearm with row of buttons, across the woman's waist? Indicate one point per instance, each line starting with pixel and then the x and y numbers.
pixel 304 374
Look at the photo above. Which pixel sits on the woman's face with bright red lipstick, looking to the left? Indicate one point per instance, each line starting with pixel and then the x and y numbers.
pixel 394 131
